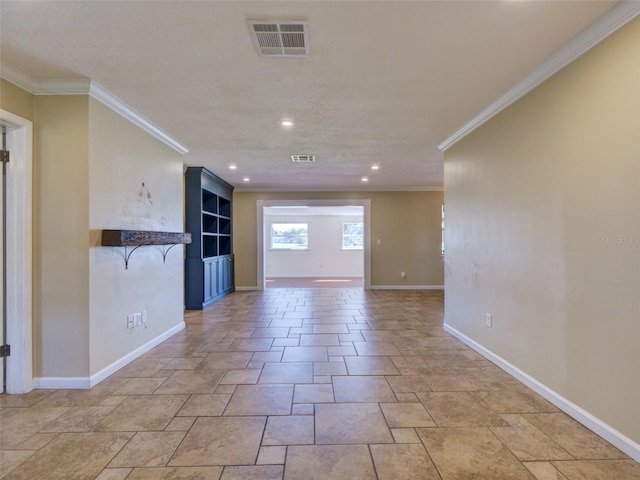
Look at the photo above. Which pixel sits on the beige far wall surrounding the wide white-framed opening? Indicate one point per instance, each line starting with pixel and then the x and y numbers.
pixel 407 223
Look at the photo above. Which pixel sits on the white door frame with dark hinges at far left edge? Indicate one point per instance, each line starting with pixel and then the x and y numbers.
pixel 19 252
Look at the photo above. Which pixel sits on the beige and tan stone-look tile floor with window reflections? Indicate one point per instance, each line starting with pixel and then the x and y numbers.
pixel 304 384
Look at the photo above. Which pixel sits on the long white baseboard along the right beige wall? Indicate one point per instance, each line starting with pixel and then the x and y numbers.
pixel 594 424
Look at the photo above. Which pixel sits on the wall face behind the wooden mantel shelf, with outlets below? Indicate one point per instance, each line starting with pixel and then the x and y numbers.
pixel 121 158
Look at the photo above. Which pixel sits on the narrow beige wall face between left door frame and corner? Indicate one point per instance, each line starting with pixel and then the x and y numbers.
pixel 61 226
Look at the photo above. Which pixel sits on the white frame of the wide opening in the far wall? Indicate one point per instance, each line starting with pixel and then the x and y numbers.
pixel 365 203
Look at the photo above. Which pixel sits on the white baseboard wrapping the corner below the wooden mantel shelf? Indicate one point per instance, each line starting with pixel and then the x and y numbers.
pixel 83 383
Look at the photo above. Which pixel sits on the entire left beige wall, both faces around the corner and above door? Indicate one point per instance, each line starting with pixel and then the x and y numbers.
pixel 89 164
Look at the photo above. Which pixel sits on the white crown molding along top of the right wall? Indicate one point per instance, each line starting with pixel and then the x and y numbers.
pixel 611 21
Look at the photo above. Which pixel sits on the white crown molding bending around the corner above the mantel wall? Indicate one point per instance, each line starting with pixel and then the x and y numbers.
pixel 83 86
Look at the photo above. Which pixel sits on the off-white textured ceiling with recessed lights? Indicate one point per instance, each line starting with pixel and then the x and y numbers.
pixel 385 83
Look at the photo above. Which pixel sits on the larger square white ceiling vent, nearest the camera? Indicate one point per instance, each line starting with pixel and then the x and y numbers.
pixel 280 39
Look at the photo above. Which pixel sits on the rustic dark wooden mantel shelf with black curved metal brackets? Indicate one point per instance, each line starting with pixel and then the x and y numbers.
pixel 139 238
